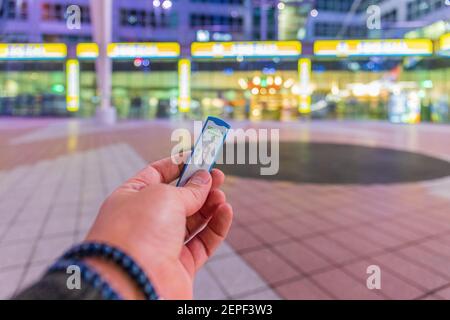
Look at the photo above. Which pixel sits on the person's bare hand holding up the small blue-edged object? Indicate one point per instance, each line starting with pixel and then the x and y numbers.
pixel 148 219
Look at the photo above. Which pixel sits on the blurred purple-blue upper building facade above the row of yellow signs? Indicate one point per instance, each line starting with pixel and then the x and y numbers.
pixel 185 21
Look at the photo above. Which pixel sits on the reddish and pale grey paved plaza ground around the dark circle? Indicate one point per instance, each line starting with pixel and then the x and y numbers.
pixel 289 240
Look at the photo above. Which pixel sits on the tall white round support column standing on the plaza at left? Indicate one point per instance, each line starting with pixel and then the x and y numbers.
pixel 101 16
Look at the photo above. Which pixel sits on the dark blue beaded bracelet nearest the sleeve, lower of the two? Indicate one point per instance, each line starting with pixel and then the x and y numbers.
pixel 89 275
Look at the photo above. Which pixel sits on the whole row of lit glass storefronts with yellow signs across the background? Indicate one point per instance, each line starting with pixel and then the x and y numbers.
pixel 401 80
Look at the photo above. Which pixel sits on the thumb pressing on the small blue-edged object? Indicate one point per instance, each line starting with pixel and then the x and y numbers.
pixel 194 193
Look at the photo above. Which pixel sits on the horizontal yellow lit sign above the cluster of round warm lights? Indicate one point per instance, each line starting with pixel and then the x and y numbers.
pixel 246 49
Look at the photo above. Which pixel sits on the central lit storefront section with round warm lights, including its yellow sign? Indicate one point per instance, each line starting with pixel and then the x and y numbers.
pixel 255 80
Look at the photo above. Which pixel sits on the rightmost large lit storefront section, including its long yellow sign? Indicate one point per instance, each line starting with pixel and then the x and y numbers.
pixel 395 79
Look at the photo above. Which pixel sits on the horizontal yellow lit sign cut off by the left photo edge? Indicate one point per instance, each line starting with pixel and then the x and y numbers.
pixel 32 51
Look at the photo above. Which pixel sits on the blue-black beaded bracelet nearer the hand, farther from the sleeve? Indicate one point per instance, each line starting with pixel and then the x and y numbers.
pixel 121 259
